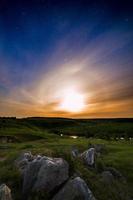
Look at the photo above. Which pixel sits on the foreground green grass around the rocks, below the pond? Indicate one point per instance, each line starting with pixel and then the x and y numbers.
pixel 117 154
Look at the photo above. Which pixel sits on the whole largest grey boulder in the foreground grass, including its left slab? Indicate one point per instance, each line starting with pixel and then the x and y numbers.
pixel 44 174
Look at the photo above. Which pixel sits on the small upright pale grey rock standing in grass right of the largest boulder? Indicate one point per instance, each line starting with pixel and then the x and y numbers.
pixel 89 157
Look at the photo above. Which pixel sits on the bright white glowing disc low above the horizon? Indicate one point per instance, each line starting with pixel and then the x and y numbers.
pixel 72 101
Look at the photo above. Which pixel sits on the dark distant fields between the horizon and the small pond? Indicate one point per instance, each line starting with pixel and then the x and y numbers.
pixel 98 128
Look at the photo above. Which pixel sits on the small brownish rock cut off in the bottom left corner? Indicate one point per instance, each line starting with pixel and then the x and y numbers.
pixel 5 192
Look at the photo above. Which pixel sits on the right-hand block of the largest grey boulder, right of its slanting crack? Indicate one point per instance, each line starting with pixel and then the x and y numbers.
pixel 52 173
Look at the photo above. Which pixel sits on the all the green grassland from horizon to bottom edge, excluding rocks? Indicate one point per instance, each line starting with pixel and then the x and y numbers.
pixel 42 136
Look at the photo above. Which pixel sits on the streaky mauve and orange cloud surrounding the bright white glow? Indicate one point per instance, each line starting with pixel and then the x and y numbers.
pixel 98 69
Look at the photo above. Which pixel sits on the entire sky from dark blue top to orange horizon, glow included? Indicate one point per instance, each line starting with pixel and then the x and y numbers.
pixel 66 58
